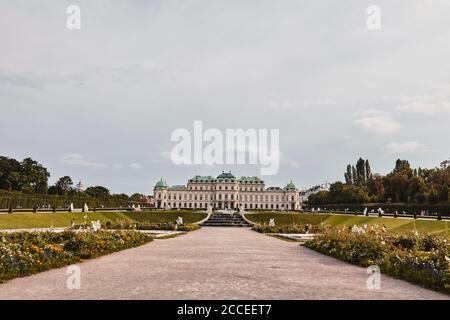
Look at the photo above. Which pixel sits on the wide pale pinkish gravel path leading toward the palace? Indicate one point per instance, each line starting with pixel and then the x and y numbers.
pixel 214 263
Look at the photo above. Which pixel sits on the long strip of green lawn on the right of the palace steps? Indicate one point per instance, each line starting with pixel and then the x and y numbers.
pixel 398 225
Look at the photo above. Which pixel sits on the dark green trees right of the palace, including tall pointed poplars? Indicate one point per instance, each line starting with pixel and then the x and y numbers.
pixel 403 184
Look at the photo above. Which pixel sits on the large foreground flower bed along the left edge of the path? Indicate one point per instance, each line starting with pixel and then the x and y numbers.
pixel 26 253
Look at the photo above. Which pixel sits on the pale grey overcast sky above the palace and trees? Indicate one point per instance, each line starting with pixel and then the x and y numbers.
pixel 100 103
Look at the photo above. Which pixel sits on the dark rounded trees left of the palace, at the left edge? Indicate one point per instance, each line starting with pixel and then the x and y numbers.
pixel 30 178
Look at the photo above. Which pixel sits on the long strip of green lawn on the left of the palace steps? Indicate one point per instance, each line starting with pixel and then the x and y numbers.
pixel 46 220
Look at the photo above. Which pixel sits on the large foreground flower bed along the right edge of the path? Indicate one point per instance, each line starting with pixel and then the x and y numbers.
pixel 422 259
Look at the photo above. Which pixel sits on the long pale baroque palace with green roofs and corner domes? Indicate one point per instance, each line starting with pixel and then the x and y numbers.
pixel 226 192
